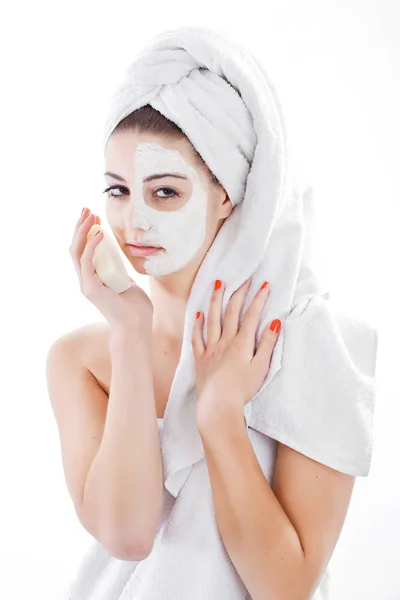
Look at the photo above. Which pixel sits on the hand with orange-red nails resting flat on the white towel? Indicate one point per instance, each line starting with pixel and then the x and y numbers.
pixel 230 371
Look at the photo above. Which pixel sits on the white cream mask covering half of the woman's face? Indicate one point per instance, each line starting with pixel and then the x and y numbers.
pixel 180 232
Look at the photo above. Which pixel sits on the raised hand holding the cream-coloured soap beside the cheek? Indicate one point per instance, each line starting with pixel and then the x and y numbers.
pixel 130 309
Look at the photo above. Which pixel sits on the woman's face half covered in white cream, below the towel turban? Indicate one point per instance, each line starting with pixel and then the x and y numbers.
pixel 173 212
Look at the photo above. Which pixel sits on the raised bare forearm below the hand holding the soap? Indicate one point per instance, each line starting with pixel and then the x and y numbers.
pixel 124 486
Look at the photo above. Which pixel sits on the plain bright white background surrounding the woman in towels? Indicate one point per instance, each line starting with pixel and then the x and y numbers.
pixel 336 68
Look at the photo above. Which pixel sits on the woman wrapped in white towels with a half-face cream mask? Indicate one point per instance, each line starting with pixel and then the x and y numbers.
pixel 249 490
